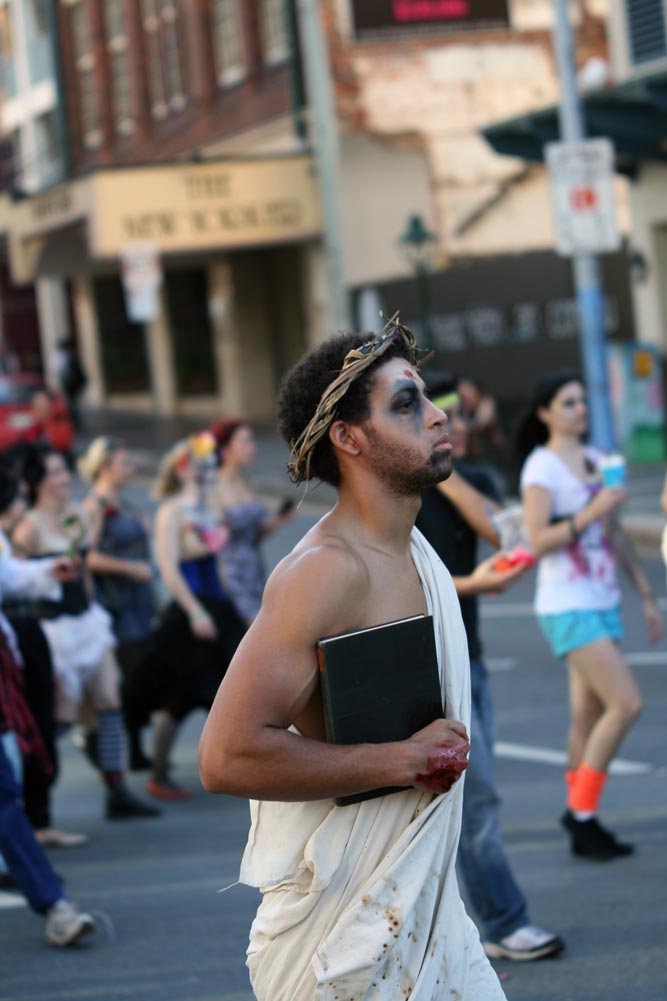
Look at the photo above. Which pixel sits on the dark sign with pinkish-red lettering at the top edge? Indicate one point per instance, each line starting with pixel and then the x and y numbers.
pixel 375 19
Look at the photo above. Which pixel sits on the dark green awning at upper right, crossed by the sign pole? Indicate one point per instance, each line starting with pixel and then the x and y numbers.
pixel 632 115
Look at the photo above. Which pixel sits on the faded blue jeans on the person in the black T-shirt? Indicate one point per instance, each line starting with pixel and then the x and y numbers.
pixel 494 893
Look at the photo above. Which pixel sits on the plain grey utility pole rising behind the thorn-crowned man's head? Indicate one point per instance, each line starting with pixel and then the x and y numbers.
pixel 322 104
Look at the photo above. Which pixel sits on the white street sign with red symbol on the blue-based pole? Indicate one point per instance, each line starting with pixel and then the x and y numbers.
pixel 582 186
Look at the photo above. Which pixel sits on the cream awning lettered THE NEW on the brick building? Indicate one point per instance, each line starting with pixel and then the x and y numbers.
pixel 207 208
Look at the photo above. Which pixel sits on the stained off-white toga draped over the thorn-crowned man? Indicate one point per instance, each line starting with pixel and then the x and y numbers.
pixel 362 902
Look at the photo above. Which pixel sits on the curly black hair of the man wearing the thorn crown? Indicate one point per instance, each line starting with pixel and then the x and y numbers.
pixel 303 387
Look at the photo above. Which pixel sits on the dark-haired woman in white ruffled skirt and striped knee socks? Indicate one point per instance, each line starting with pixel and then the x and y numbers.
pixel 78 629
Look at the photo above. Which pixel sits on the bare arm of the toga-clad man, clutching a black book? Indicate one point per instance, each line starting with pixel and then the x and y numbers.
pixel 247 748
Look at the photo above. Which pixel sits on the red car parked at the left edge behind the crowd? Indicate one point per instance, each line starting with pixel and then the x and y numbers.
pixel 30 412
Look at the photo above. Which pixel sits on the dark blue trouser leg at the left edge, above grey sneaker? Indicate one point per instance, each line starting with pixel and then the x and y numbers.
pixel 26 857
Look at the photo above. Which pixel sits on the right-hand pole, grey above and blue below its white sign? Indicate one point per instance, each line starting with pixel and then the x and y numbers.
pixel 586 268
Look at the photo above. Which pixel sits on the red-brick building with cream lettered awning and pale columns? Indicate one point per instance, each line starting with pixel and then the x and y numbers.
pixel 181 139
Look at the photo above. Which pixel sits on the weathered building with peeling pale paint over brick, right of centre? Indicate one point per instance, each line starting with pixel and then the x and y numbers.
pixel 416 83
